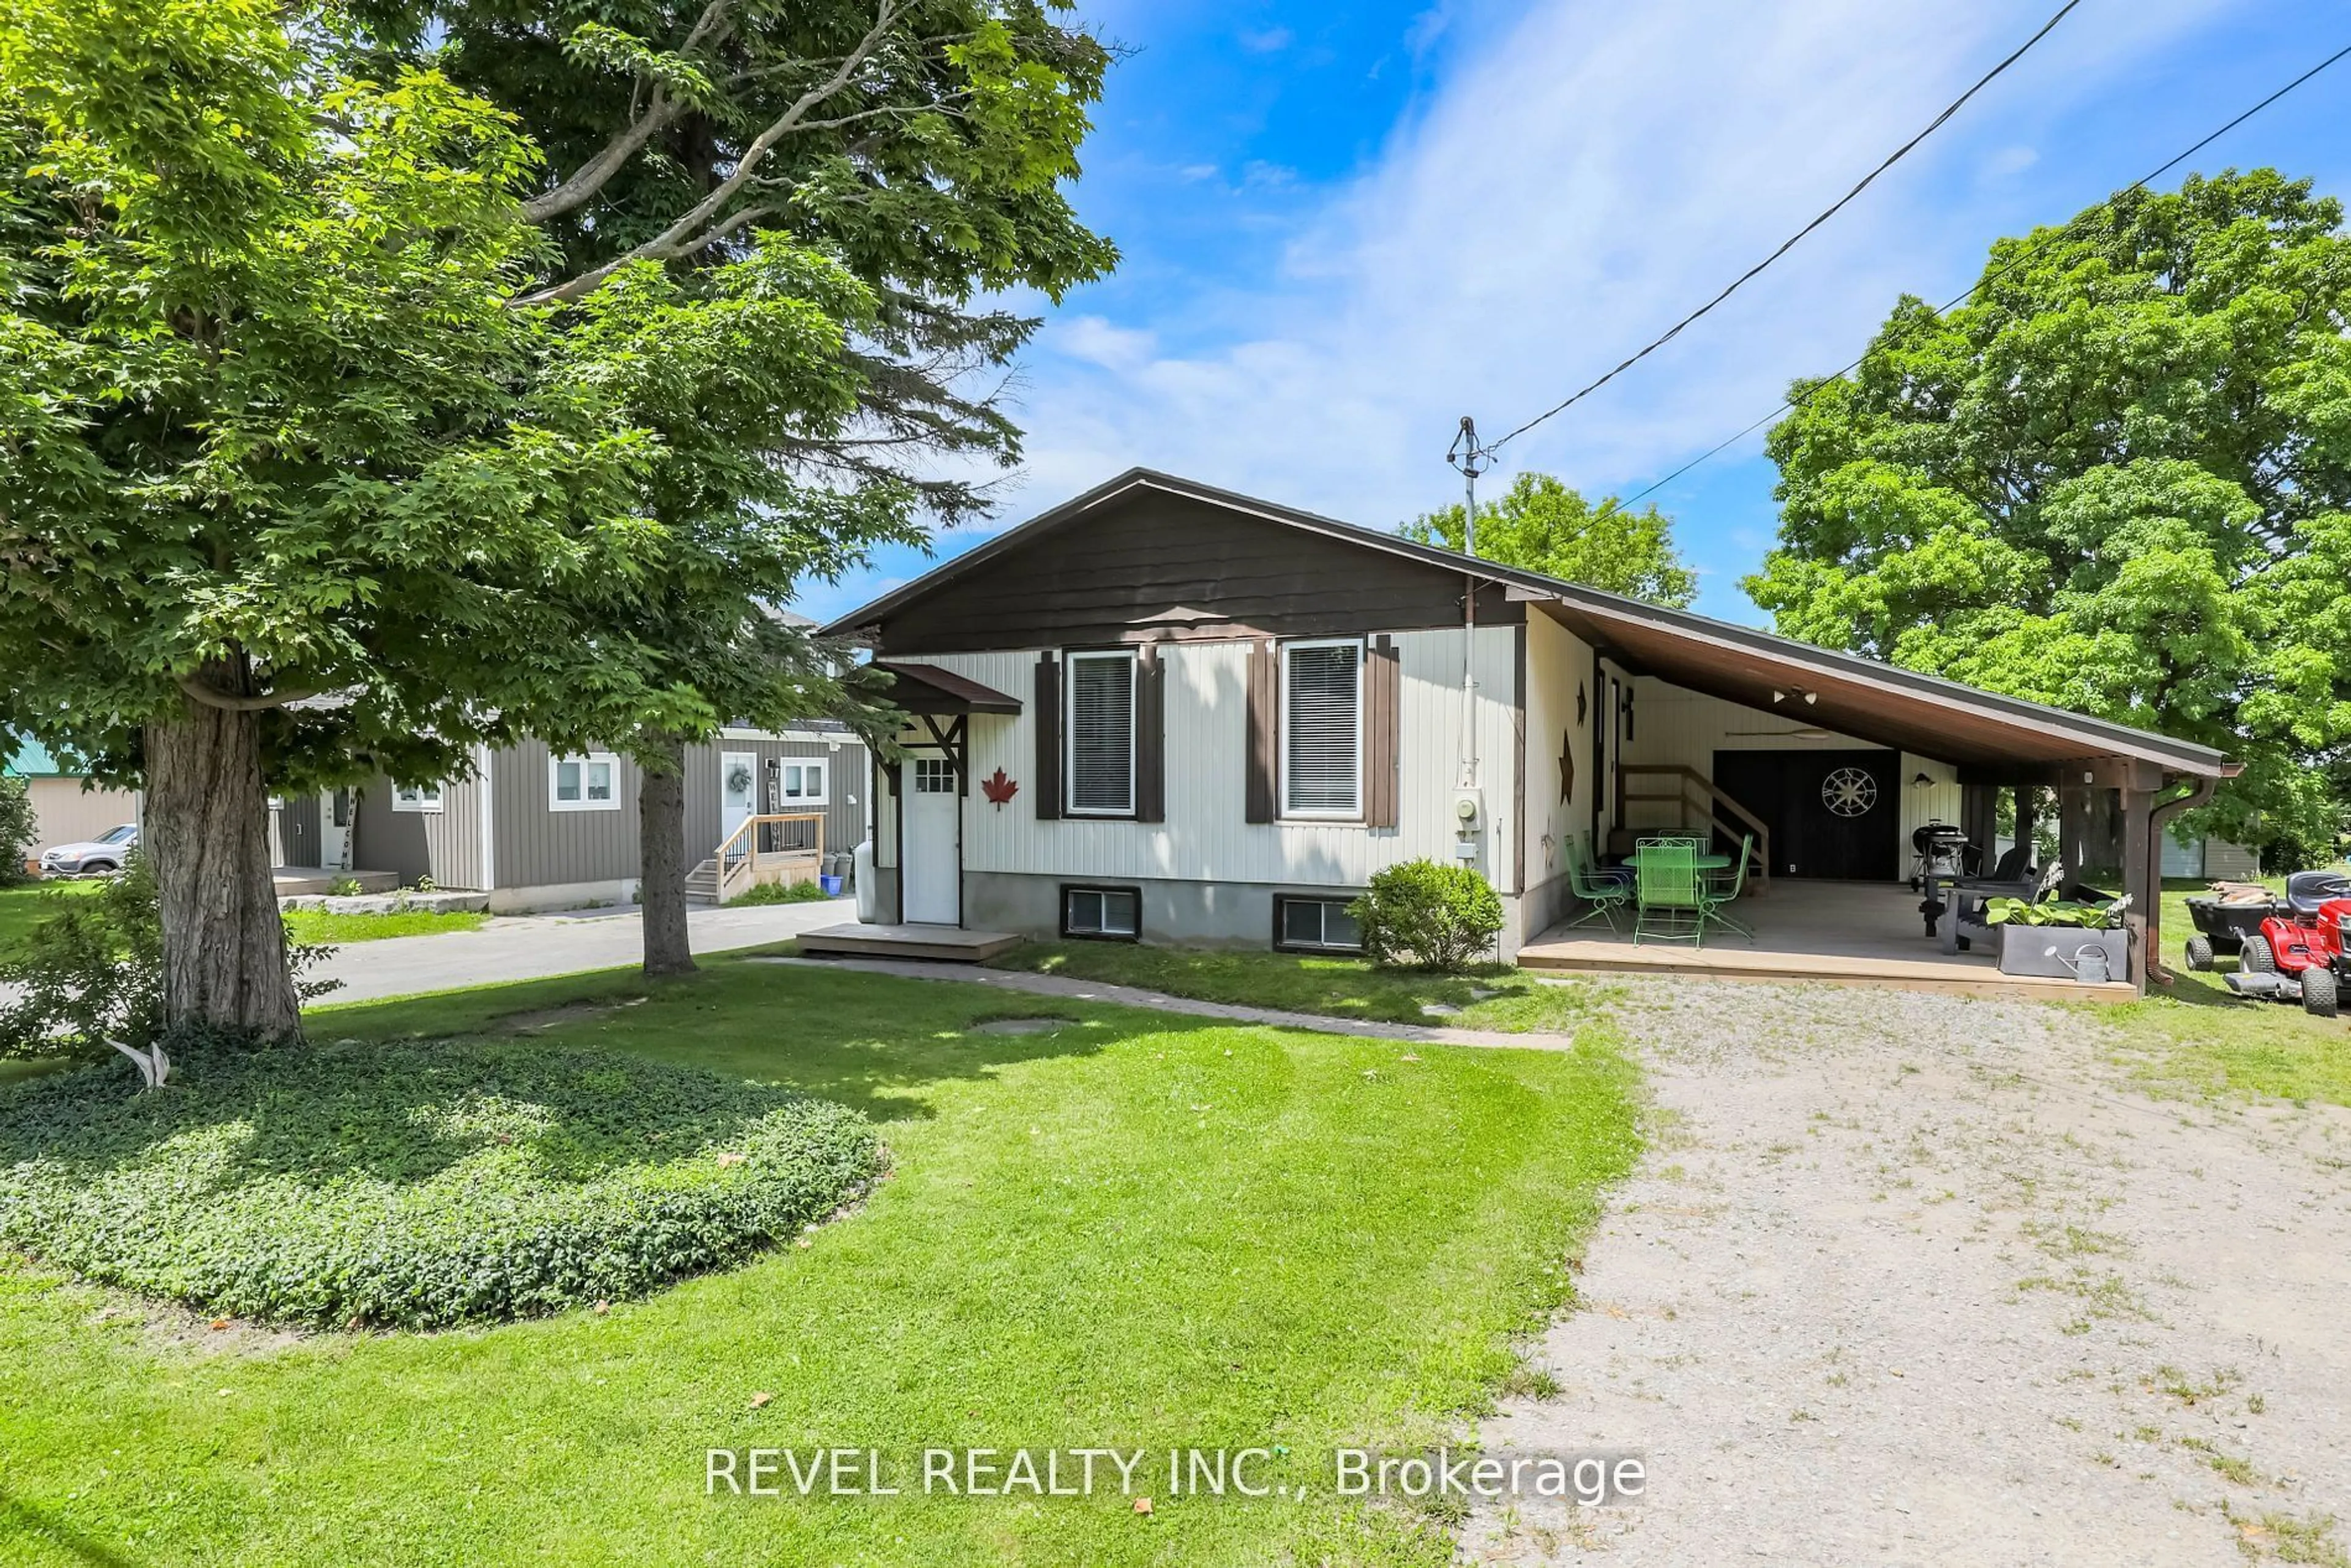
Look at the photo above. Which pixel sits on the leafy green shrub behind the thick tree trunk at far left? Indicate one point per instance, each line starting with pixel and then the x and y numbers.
pixel 93 972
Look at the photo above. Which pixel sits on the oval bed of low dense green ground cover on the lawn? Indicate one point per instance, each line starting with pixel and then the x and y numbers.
pixel 415 1186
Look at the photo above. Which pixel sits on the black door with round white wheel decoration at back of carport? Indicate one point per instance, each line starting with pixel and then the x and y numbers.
pixel 1833 815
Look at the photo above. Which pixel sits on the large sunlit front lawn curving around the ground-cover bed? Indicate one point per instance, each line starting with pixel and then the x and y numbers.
pixel 1137 1231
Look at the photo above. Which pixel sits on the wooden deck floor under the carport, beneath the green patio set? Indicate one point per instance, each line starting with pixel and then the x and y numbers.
pixel 1833 932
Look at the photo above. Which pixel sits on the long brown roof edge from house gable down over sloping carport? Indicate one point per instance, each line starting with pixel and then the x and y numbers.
pixel 1849 695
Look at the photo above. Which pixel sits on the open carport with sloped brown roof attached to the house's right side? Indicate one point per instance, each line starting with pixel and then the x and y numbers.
pixel 2115 786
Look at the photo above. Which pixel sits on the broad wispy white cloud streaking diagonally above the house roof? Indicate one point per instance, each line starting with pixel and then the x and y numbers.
pixel 1569 192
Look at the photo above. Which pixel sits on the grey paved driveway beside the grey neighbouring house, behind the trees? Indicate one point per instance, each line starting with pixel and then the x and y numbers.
pixel 537 946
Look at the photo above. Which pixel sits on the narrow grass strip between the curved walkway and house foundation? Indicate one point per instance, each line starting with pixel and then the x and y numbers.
pixel 1344 989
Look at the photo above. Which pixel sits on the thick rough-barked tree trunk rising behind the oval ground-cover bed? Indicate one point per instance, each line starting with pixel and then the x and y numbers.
pixel 208 829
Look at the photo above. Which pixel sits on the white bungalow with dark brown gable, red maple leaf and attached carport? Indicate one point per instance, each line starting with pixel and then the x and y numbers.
pixel 1174 713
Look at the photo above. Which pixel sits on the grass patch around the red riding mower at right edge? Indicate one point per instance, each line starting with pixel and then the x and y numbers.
pixel 2209 1040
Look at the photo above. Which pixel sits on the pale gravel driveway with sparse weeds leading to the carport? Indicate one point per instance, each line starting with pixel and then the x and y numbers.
pixel 1924 1280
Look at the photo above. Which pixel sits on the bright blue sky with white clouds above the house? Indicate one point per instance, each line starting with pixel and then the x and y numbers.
pixel 1348 227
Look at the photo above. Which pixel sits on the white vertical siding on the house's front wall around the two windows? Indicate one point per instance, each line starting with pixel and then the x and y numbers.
pixel 1207 836
